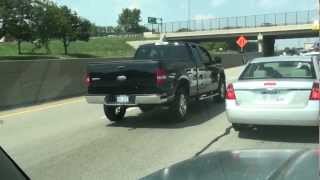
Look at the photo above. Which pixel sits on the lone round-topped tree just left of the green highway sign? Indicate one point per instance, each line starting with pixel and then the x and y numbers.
pixel 129 20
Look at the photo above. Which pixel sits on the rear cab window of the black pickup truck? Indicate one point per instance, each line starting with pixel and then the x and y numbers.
pixel 163 52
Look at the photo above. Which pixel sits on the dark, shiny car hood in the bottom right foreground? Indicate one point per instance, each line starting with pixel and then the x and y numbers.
pixel 246 165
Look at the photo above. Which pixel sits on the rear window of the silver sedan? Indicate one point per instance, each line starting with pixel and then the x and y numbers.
pixel 279 70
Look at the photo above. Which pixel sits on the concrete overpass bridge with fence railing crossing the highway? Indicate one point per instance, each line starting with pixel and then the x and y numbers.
pixel 265 28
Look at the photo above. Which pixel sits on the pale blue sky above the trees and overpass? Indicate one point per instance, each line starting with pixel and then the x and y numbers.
pixel 105 12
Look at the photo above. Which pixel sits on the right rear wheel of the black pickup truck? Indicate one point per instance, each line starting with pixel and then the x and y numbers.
pixel 180 105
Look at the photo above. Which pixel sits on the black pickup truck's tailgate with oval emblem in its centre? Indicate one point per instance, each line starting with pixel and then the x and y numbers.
pixel 123 77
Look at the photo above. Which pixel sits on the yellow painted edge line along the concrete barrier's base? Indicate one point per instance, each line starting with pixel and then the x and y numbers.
pixel 37 109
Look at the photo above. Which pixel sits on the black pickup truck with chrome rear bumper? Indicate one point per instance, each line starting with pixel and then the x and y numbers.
pixel 160 74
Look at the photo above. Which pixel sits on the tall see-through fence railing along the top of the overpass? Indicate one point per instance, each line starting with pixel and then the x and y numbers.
pixel 263 20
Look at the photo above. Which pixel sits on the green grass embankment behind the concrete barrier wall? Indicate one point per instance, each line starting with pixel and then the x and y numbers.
pixel 95 48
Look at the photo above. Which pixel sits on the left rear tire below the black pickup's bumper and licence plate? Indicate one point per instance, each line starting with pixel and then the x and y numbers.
pixel 114 113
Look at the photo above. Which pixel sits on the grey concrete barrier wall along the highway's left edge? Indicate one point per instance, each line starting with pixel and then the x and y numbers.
pixel 30 82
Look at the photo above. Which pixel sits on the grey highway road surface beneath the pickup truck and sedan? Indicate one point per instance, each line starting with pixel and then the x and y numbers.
pixel 71 139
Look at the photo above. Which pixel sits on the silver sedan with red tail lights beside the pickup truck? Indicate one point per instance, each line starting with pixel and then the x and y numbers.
pixel 276 91
